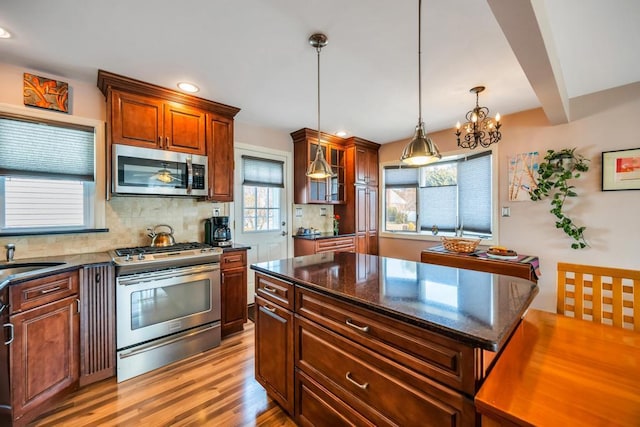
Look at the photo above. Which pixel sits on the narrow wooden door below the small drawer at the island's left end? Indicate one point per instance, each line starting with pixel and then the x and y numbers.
pixel 274 352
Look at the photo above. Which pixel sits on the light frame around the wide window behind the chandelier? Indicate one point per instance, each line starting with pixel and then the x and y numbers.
pixel 427 235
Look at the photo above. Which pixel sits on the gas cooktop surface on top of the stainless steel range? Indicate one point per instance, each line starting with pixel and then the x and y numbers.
pixel 147 258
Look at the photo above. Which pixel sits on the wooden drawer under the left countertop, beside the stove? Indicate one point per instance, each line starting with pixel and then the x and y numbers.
pixel 34 293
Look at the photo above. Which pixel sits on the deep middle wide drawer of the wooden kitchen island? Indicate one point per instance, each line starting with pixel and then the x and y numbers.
pixel 383 391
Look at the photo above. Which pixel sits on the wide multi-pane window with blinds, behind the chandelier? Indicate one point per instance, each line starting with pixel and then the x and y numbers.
pixel 453 195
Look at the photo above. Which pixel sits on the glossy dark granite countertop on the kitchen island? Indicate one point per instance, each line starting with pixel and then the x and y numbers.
pixel 477 308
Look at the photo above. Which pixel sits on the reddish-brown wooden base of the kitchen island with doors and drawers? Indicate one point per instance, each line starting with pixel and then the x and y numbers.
pixel 354 366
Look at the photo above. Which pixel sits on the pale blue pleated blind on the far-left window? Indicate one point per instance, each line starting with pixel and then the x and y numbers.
pixel 45 149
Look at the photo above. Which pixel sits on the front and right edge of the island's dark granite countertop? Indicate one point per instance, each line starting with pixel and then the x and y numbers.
pixel 494 344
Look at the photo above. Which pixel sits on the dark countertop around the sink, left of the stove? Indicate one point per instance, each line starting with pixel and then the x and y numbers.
pixel 68 263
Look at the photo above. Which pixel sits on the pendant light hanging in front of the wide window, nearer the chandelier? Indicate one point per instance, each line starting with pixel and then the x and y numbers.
pixel 421 150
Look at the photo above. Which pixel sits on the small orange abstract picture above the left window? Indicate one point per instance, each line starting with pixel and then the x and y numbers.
pixel 46 93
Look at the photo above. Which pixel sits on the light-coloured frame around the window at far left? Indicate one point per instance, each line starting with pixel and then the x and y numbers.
pixel 97 209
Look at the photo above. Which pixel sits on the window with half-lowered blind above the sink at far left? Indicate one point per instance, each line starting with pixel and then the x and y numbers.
pixel 47 175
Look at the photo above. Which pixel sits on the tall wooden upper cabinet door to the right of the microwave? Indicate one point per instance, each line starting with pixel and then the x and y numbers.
pixel 220 153
